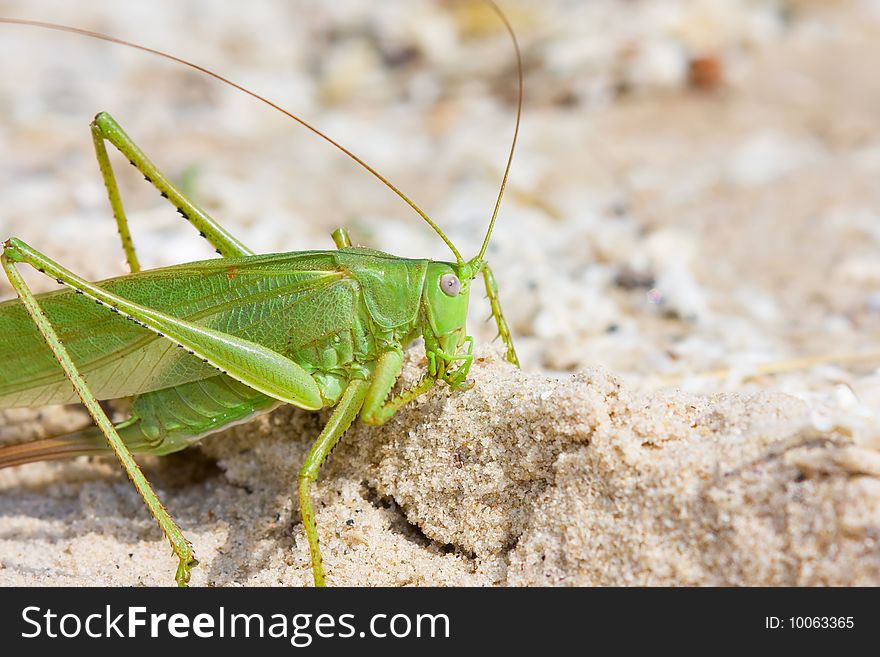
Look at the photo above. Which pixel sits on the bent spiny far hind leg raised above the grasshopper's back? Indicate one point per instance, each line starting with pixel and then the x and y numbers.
pixel 105 127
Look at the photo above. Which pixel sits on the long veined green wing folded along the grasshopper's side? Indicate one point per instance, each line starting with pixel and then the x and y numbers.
pixel 274 300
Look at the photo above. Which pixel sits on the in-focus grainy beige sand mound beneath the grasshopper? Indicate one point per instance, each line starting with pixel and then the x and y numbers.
pixel 524 480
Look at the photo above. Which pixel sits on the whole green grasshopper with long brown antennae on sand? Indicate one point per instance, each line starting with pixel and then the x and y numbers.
pixel 200 346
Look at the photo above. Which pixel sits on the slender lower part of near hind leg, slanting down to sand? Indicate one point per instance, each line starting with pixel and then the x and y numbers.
pixel 181 546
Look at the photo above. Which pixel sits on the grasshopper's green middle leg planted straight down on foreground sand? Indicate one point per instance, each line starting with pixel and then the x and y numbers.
pixel 343 415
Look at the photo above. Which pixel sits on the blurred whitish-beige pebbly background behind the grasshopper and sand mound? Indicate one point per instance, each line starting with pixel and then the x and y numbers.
pixel 696 188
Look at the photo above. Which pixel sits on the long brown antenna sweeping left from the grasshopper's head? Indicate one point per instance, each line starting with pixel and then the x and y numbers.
pixel 122 42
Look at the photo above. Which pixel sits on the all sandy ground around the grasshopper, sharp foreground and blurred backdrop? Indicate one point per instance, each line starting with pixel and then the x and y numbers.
pixel 698 185
